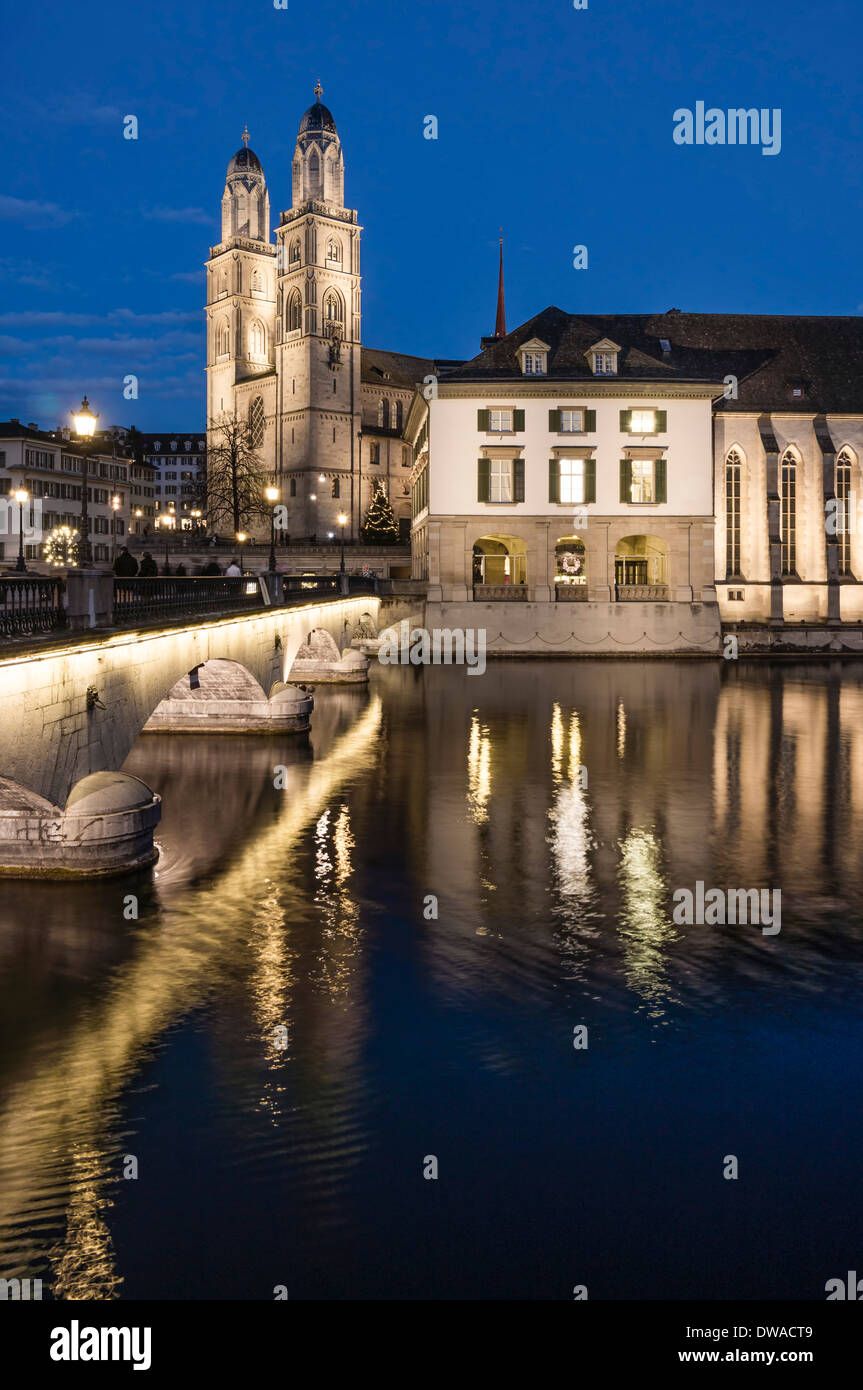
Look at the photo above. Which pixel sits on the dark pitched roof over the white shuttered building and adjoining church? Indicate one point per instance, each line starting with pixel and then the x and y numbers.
pixel 769 354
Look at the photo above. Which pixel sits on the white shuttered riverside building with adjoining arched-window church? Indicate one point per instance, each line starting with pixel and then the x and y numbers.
pixel 673 458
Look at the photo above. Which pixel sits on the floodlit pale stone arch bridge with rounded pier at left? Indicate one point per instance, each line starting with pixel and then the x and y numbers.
pixel 72 712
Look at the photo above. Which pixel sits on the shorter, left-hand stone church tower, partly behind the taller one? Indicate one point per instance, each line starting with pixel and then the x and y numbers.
pixel 241 308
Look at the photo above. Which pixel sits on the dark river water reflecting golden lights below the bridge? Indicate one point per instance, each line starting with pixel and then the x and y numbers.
pixel 293 1031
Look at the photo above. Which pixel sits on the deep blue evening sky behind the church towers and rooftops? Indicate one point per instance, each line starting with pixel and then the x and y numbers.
pixel 554 123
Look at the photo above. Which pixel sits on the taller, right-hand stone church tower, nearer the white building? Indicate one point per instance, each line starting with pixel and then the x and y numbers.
pixel 318 337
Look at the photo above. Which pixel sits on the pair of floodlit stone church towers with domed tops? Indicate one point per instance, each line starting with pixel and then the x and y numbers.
pixel 284 330
